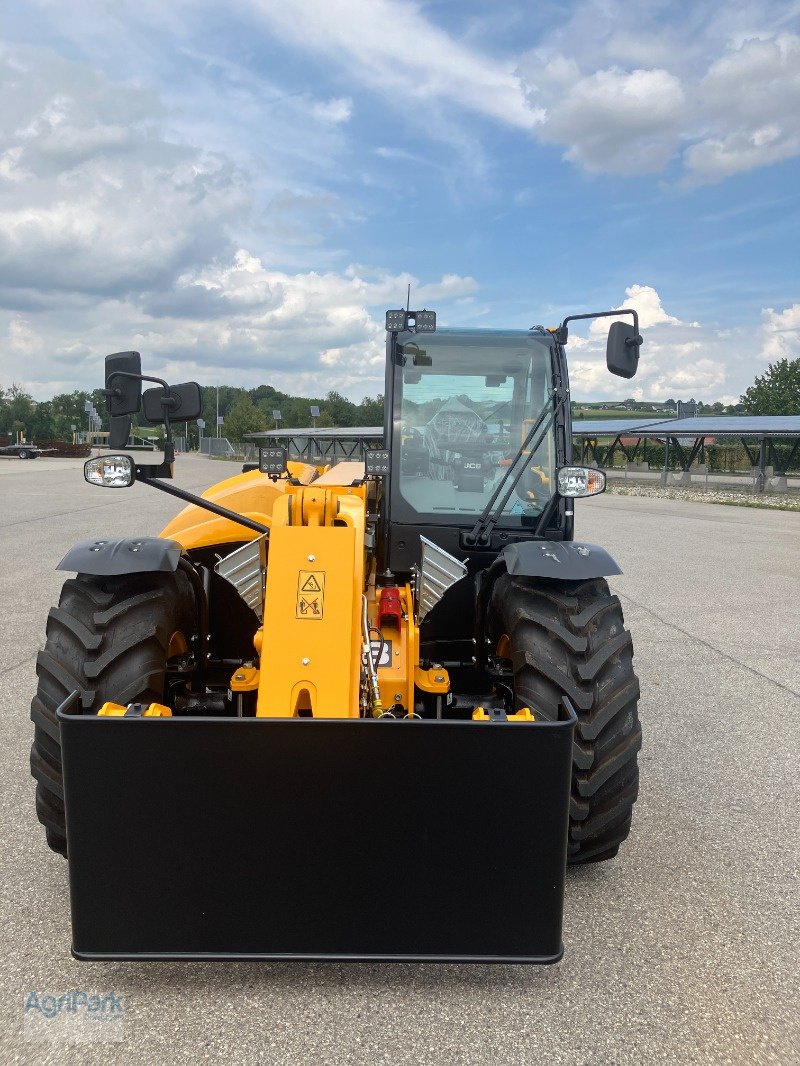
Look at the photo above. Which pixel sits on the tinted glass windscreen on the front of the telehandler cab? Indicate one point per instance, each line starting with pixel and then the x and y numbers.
pixel 468 402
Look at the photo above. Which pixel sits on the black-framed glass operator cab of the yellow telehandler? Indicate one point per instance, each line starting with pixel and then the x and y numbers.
pixel 476 433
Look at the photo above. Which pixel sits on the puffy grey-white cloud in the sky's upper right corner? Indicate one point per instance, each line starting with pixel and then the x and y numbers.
pixel 719 102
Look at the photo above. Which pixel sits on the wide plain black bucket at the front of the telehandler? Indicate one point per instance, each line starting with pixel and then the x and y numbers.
pixel 196 838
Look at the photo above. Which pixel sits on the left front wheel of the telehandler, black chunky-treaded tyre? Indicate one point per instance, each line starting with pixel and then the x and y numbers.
pixel 110 638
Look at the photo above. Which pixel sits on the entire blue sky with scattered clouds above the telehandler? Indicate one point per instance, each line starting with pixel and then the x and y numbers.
pixel 239 191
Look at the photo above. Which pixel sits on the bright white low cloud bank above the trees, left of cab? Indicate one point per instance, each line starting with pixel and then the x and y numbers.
pixel 251 326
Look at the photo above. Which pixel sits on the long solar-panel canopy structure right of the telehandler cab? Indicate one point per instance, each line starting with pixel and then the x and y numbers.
pixel 689 437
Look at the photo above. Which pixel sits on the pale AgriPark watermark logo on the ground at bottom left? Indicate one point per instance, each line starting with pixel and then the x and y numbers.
pixel 83 1017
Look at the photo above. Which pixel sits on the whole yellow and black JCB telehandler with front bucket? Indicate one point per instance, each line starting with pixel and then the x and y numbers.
pixel 361 710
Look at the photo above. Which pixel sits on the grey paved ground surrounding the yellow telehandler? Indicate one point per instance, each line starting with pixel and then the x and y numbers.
pixel 682 950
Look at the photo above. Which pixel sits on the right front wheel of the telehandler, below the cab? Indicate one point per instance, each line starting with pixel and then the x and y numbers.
pixel 570 639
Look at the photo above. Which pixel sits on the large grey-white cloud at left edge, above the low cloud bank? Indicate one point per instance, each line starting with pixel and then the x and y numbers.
pixel 97 198
